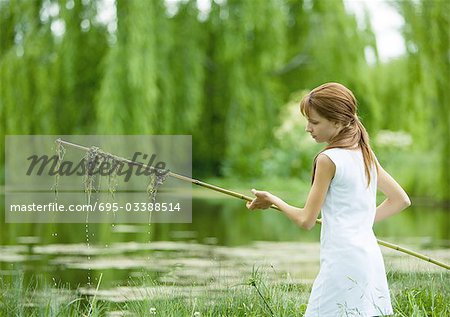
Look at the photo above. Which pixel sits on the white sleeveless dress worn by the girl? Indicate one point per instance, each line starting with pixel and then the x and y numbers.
pixel 352 278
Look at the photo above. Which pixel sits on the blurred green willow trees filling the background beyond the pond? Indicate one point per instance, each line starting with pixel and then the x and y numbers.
pixel 228 77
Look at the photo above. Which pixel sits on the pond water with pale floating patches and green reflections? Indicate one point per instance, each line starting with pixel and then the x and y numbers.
pixel 221 247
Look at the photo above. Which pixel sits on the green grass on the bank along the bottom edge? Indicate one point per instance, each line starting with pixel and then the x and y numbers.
pixel 413 294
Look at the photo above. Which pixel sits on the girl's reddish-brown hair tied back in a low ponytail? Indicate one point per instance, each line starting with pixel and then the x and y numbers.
pixel 336 103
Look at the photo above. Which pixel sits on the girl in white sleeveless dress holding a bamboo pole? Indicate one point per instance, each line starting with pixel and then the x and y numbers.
pixel 352 278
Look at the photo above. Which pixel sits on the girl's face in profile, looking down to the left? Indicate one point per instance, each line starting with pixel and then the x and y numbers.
pixel 320 128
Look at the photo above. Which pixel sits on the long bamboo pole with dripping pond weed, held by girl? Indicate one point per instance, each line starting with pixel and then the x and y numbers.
pixel 248 198
